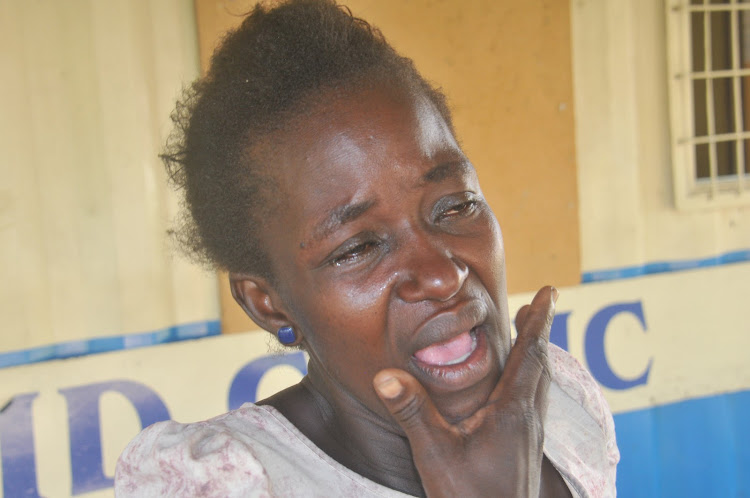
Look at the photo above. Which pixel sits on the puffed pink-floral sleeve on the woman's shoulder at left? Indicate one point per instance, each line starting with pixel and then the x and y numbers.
pixel 200 459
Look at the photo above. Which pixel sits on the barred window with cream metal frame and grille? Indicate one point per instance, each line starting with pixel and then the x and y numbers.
pixel 709 83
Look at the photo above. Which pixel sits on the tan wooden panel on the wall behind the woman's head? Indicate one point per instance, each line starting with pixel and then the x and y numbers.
pixel 506 68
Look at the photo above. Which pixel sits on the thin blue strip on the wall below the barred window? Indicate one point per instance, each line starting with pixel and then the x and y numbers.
pixel 664 267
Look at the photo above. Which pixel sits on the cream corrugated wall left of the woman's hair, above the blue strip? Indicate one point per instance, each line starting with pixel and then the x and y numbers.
pixel 87 88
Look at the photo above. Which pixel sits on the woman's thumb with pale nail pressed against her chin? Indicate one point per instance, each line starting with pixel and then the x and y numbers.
pixel 411 407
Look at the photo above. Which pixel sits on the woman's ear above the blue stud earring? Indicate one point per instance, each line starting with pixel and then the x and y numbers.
pixel 259 301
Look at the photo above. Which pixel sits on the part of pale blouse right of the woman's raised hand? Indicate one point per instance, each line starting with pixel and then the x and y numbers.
pixel 579 429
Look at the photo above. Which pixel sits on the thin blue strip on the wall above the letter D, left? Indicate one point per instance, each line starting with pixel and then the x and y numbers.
pixel 194 330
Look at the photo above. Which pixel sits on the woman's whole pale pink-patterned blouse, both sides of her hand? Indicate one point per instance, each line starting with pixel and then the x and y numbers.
pixel 255 452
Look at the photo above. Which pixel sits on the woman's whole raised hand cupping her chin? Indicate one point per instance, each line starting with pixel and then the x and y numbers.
pixel 498 450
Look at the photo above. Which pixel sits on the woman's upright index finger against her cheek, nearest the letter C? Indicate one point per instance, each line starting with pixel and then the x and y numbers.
pixel 528 356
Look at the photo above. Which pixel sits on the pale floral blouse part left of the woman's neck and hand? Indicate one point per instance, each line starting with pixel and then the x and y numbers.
pixel 253 451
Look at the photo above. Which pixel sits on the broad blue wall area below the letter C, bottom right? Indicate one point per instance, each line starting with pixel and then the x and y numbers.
pixel 693 448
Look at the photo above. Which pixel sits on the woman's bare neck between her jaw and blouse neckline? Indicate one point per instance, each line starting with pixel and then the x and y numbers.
pixel 350 433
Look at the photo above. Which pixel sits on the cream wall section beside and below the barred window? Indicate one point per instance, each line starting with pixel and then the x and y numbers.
pixel 627 211
